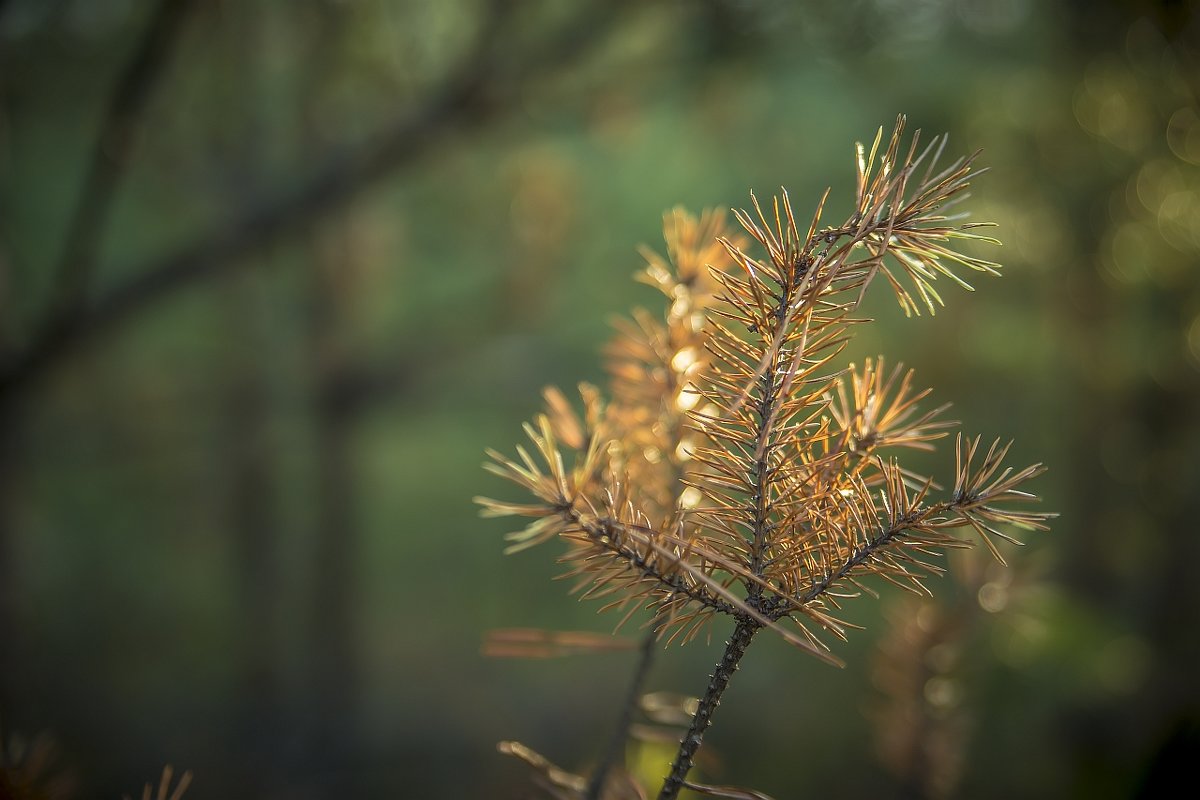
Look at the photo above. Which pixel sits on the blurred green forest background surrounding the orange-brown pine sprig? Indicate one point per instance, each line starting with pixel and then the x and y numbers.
pixel 273 274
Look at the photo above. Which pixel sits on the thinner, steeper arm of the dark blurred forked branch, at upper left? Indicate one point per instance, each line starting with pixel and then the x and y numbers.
pixel 110 155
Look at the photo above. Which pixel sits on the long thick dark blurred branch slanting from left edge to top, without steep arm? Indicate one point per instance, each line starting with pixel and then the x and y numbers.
pixel 481 91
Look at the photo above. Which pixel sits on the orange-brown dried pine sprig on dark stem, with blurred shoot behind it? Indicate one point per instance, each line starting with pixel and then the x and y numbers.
pixel 739 470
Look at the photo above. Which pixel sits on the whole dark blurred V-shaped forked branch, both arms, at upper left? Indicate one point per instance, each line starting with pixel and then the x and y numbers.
pixel 483 87
